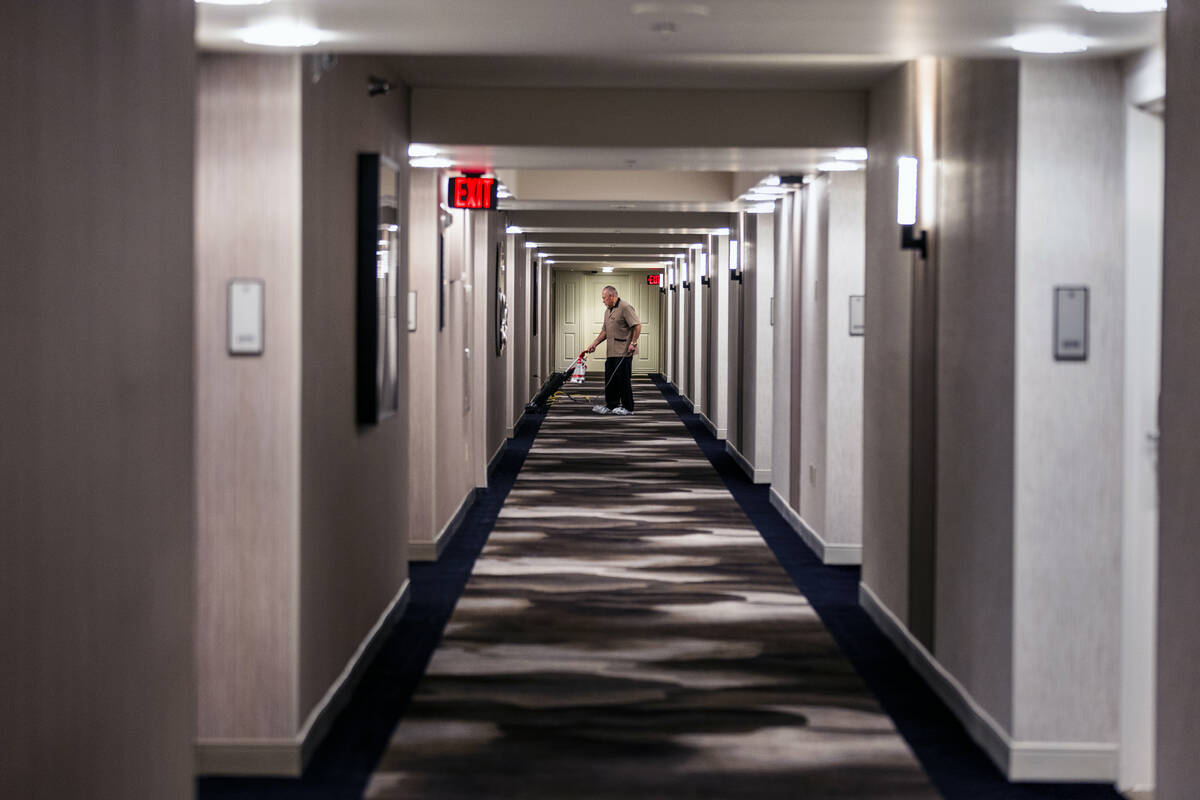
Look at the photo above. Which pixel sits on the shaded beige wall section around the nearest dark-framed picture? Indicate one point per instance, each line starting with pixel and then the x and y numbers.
pixel 353 480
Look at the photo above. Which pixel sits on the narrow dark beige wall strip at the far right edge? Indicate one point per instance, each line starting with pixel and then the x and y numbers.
pixel 1179 640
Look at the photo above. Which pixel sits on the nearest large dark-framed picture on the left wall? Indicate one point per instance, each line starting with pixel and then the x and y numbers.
pixel 377 308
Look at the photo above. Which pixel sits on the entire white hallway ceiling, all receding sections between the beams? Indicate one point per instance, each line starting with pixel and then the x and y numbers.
pixel 728 45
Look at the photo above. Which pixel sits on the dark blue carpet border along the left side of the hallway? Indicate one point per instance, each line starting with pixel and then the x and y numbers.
pixel 345 761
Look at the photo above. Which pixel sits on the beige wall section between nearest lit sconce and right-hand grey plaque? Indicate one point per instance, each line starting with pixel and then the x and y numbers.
pixel 977 341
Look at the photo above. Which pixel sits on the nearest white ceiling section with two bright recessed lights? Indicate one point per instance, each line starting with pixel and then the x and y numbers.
pixel 718 44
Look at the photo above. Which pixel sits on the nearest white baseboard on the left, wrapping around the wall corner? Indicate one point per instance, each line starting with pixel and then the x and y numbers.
pixel 287 757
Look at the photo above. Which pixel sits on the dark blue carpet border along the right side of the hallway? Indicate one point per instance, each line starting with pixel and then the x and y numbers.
pixel 955 763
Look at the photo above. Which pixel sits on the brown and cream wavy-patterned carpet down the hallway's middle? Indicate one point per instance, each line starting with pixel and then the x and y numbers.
pixel 627 634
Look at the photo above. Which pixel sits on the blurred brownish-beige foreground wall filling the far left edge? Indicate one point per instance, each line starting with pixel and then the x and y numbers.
pixel 97 407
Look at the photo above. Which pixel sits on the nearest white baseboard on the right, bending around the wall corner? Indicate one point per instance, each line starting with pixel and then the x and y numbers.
pixel 1019 761
